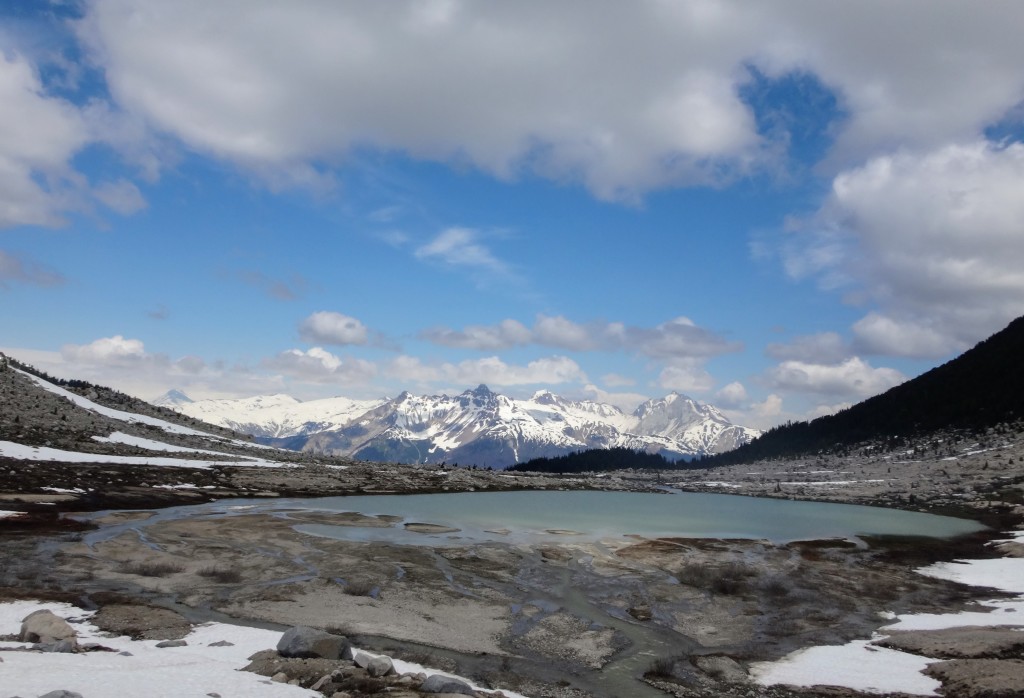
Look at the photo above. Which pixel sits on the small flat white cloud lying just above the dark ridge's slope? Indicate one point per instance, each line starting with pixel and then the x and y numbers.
pixel 854 378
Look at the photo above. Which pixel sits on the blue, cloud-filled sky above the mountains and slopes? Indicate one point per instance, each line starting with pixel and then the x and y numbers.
pixel 779 208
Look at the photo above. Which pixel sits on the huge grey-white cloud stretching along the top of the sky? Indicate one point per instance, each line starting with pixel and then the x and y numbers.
pixel 656 86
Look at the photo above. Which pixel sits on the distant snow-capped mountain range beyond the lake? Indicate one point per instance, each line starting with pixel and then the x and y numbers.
pixel 479 427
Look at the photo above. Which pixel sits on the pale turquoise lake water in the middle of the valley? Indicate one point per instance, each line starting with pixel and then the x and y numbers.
pixel 534 516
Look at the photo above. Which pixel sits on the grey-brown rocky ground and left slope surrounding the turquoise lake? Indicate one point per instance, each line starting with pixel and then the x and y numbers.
pixel 567 618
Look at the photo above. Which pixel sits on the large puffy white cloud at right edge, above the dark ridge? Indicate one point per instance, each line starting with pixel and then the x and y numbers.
pixel 933 239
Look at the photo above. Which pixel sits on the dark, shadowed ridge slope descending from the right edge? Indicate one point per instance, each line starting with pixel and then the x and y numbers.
pixel 982 388
